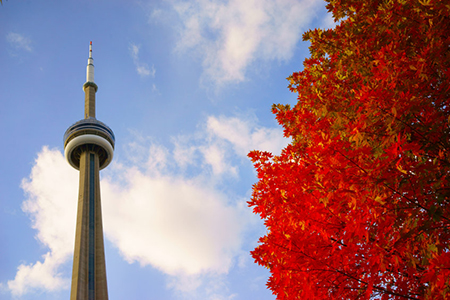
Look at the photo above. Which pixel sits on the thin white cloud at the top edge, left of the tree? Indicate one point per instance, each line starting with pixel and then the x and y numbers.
pixel 232 35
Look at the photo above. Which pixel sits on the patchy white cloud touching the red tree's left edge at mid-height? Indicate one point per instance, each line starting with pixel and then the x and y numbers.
pixel 225 138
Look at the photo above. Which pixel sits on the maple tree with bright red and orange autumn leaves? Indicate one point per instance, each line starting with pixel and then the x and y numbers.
pixel 357 206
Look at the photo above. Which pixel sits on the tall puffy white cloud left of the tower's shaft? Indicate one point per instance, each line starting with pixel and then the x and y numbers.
pixel 51 193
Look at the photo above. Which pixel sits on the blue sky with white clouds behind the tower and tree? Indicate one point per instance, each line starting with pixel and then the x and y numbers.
pixel 187 87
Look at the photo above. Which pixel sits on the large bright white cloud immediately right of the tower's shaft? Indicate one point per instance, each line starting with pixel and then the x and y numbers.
pixel 176 225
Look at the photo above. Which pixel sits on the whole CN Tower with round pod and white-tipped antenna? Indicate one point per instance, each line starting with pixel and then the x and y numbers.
pixel 89 148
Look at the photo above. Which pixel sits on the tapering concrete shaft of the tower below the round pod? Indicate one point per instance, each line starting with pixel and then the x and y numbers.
pixel 89 269
